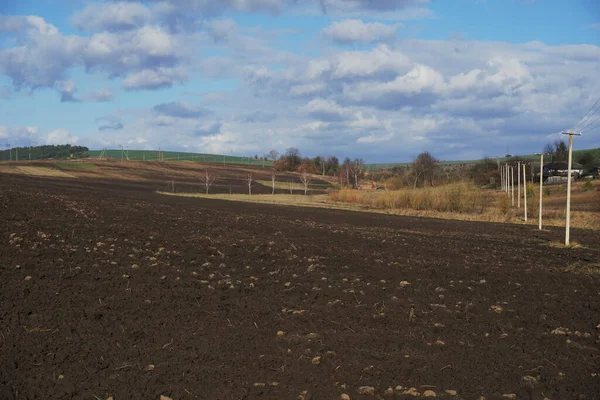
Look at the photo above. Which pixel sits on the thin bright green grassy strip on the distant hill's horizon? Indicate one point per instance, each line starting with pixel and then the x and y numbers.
pixel 150 155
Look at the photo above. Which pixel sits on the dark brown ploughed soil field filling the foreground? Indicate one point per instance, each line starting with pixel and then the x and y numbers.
pixel 122 278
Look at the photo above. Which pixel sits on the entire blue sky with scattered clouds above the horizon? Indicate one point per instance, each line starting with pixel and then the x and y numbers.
pixel 377 79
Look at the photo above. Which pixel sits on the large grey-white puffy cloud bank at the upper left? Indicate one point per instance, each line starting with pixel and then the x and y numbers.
pixel 148 57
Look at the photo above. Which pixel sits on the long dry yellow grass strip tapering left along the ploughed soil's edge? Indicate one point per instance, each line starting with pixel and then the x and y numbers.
pixel 474 205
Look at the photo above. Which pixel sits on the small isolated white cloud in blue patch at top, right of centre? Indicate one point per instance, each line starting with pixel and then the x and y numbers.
pixel 356 31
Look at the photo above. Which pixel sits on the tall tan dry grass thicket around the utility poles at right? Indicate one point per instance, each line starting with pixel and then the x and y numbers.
pixel 465 201
